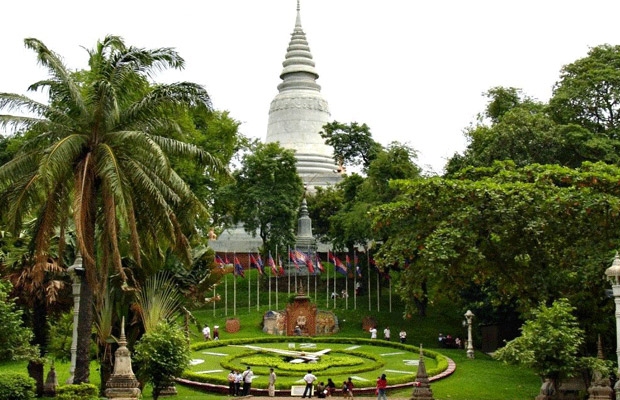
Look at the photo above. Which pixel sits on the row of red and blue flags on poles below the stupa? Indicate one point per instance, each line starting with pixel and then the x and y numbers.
pixel 299 258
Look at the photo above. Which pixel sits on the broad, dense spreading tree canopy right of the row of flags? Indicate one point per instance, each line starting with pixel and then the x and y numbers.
pixel 520 235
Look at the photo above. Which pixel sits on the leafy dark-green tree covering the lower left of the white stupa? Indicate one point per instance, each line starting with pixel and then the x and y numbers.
pixel 266 195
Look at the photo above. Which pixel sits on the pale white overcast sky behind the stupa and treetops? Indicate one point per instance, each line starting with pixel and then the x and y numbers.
pixel 414 71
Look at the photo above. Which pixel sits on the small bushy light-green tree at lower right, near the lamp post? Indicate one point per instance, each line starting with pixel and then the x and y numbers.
pixel 549 343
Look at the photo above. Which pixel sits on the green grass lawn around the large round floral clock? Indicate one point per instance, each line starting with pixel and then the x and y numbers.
pixel 479 379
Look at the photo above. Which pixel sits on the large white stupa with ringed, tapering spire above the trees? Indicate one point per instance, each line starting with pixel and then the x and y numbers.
pixel 299 111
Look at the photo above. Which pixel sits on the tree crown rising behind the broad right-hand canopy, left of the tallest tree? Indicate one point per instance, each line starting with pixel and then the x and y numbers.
pixel 518 128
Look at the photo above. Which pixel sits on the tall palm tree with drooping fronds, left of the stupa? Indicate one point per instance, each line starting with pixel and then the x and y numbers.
pixel 96 155
